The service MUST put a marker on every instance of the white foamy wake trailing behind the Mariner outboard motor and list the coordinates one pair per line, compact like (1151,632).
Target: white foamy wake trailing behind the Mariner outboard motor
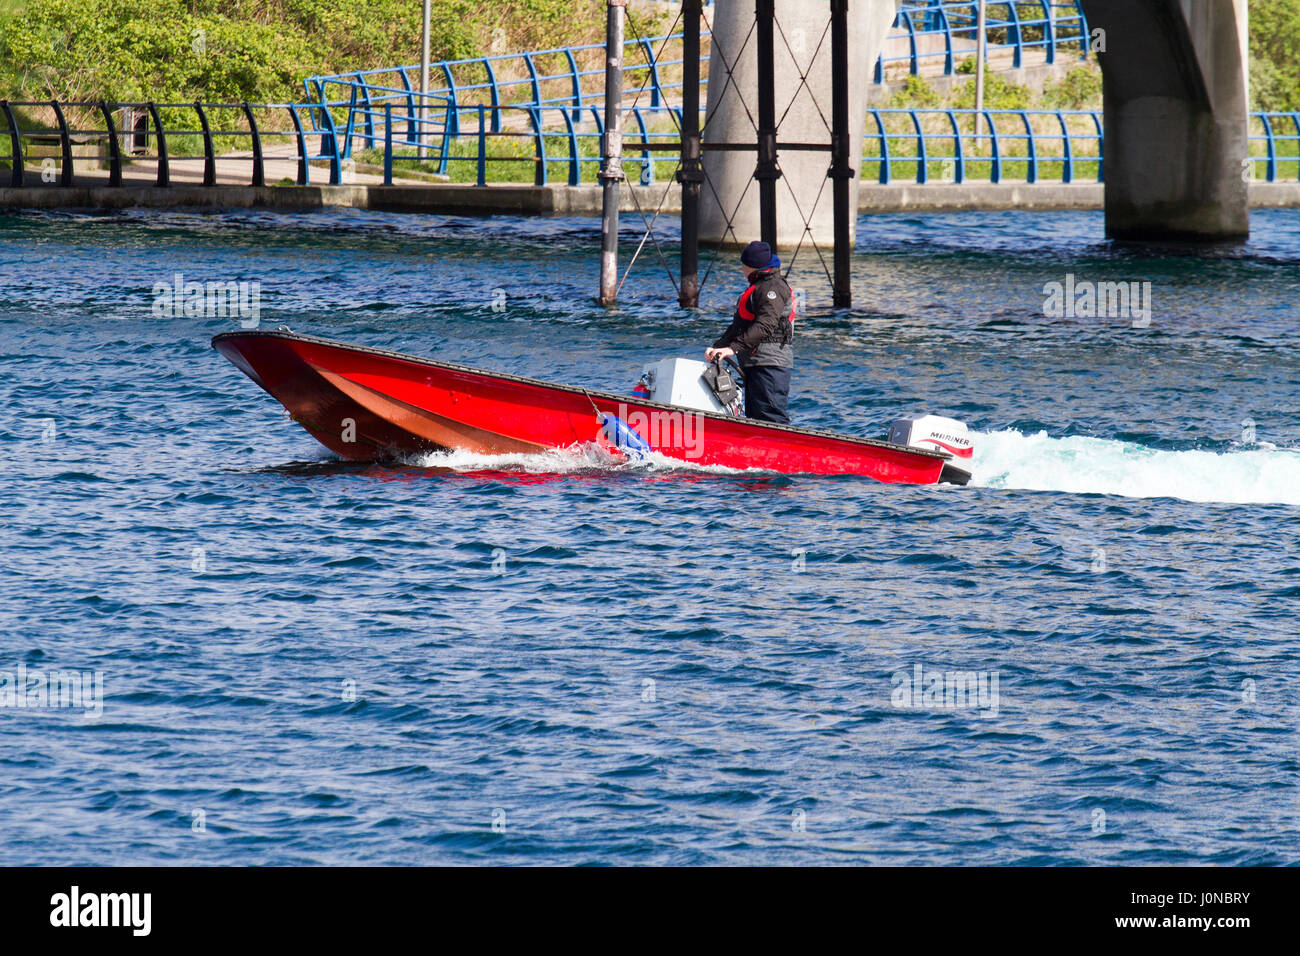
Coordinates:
(1081,465)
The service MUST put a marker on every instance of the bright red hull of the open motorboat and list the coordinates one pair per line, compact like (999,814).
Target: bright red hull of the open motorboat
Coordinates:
(372,405)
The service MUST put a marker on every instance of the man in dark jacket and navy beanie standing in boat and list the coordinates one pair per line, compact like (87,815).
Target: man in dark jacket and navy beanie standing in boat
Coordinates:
(762,336)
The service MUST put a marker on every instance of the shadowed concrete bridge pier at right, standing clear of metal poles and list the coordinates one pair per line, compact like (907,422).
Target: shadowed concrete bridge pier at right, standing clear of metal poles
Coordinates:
(1176,89)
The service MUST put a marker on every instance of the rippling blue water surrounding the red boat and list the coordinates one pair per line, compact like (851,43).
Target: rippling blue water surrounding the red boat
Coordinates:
(548,660)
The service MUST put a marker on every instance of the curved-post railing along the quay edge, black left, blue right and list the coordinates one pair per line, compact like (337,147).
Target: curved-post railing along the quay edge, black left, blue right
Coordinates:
(900,146)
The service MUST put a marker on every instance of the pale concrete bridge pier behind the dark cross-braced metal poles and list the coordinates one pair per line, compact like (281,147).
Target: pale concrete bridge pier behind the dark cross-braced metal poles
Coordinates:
(803,115)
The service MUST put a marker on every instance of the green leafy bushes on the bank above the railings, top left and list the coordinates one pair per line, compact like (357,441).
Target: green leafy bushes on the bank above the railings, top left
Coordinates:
(254,50)
